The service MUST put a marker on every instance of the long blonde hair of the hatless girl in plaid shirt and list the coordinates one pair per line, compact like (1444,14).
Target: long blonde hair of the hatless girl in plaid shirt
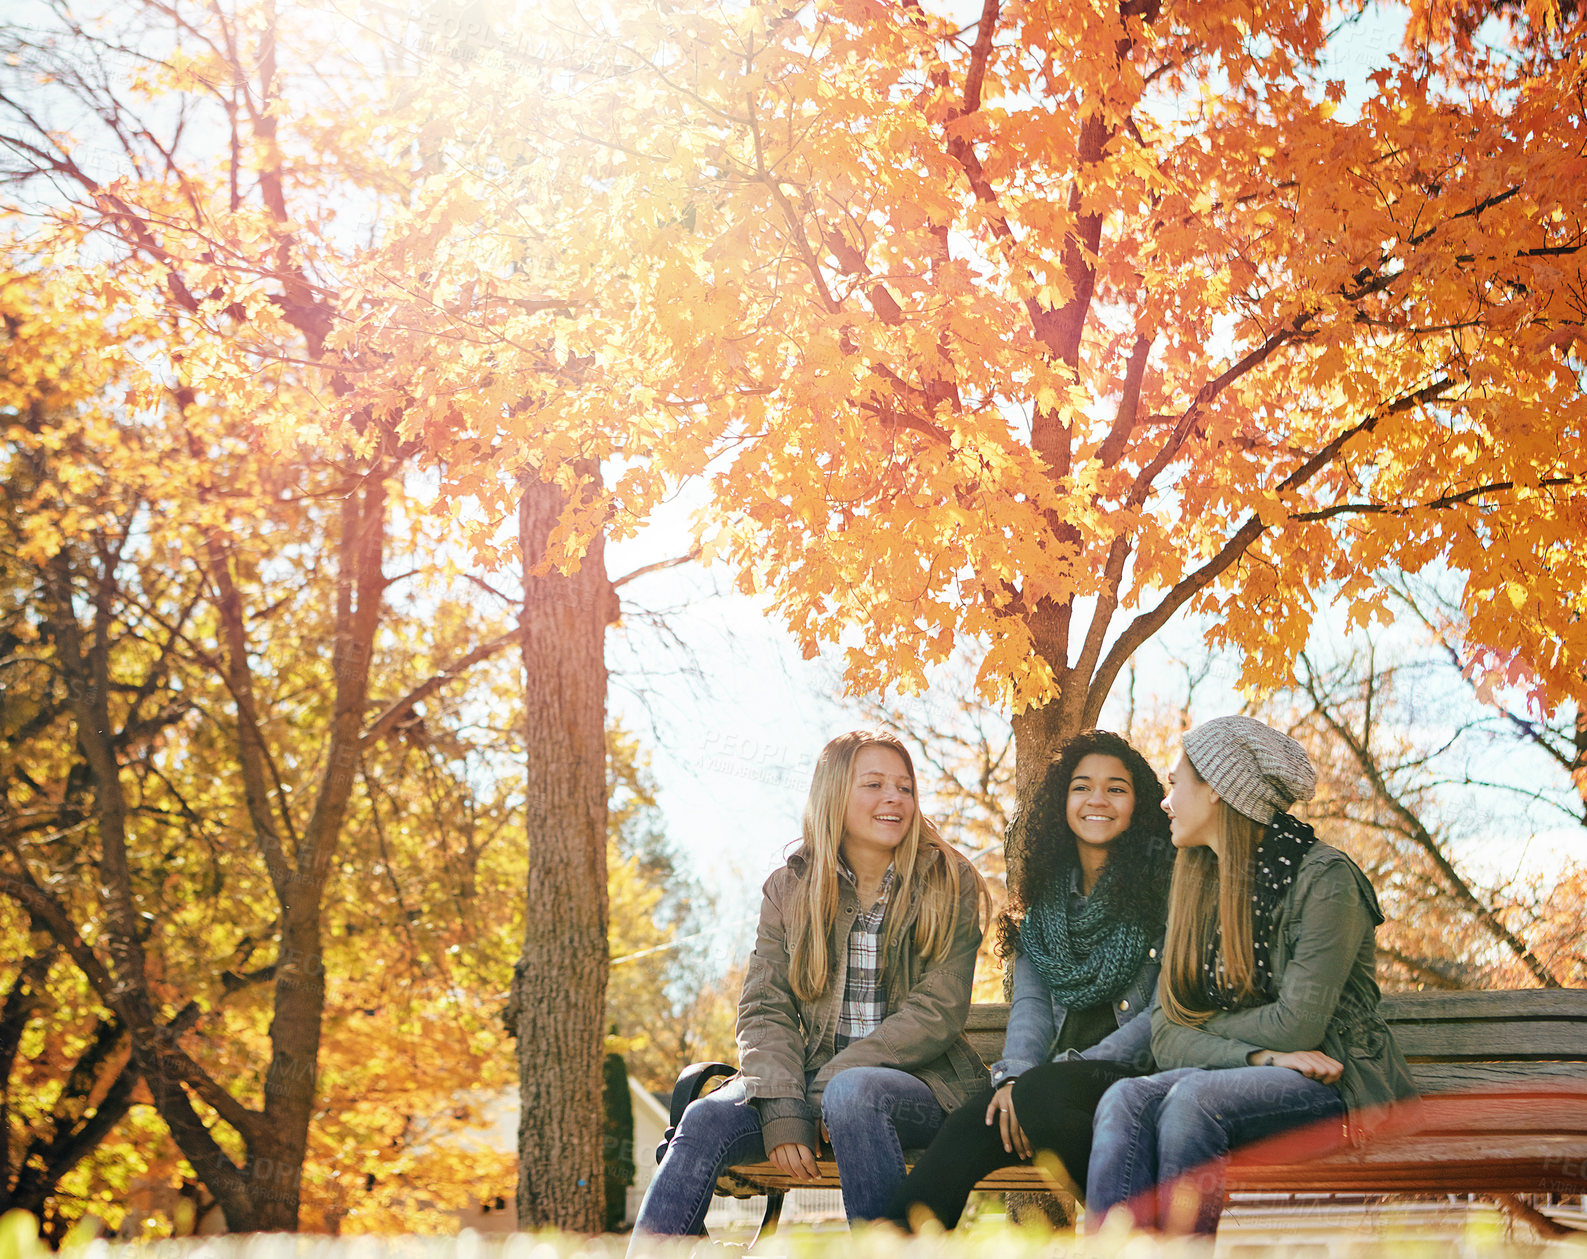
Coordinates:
(817,903)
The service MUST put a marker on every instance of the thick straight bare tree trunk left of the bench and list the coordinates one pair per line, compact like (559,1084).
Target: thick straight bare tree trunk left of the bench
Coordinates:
(559,987)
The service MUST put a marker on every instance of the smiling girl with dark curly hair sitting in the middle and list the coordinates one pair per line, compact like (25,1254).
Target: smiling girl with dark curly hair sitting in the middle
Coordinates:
(1083,931)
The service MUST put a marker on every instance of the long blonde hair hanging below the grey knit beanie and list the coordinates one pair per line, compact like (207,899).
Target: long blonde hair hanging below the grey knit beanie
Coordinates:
(1210,896)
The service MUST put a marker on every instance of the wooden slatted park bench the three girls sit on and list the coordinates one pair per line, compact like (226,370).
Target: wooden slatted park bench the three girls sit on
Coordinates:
(1504,1112)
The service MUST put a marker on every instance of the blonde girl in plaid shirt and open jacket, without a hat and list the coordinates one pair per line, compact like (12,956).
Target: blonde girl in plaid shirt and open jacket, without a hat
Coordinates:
(851,1018)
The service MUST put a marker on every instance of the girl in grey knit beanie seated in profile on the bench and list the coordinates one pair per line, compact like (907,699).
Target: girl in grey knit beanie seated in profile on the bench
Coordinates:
(1267,1015)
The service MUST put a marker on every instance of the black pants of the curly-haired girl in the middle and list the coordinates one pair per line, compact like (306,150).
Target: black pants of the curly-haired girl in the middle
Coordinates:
(1055,1104)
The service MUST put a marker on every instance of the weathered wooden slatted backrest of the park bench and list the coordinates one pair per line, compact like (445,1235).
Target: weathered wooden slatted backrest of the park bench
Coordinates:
(1454,1041)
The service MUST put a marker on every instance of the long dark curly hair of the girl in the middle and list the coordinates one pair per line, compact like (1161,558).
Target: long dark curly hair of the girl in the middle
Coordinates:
(1140,863)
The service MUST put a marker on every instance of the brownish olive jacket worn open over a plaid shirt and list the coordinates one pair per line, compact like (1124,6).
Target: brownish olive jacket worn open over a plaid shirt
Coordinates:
(783,1039)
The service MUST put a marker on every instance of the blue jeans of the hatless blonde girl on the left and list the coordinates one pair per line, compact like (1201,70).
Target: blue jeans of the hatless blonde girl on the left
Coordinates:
(870,1114)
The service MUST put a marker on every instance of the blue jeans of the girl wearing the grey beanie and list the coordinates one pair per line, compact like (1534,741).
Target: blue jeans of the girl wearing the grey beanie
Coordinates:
(1161,1142)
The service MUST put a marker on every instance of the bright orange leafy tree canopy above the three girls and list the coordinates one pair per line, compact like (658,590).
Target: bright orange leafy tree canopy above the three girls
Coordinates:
(1042,326)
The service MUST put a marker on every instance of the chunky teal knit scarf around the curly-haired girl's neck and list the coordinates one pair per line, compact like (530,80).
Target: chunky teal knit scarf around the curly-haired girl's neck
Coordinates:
(1086,958)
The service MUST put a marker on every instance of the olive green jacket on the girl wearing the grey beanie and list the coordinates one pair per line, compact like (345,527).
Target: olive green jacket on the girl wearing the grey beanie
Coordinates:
(1328,995)
